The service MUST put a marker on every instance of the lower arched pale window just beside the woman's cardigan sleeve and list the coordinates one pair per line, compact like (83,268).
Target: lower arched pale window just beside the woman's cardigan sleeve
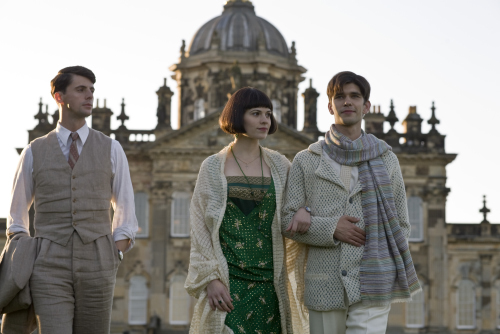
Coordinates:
(179,301)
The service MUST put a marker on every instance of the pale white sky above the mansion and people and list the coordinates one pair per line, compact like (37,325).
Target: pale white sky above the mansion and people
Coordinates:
(414,52)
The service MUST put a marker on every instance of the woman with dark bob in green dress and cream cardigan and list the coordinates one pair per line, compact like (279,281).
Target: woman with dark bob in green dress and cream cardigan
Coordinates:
(237,268)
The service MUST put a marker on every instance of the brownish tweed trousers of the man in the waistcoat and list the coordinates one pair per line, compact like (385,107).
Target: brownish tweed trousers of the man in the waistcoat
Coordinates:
(72,286)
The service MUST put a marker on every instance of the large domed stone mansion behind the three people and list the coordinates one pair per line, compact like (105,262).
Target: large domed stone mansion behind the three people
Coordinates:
(458,265)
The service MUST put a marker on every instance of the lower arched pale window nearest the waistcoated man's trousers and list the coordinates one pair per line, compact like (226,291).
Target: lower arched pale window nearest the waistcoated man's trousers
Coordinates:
(138,301)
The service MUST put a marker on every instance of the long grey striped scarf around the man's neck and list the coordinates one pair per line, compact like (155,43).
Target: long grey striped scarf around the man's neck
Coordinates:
(387,273)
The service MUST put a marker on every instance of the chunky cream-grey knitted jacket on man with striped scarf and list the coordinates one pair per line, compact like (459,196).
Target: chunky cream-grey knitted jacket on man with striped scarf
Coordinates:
(332,266)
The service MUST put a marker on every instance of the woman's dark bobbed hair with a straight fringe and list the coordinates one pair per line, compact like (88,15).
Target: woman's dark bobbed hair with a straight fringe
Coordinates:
(231,119)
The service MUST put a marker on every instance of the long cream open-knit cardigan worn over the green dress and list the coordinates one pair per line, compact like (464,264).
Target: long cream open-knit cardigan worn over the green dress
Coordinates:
(207,262)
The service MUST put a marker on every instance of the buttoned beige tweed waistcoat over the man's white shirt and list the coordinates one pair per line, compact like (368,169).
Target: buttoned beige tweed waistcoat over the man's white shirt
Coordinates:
(72,199)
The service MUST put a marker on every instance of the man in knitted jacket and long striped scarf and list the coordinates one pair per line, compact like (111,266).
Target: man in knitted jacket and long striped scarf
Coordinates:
(345,199)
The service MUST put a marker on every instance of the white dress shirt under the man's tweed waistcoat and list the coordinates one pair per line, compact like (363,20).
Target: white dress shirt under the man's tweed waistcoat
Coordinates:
(124,220)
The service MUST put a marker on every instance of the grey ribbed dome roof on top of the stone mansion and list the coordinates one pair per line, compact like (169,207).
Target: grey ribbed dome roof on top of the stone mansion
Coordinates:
(239,29)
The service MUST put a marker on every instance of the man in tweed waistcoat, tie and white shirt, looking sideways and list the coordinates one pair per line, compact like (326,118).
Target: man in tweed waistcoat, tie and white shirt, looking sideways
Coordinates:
(74,175)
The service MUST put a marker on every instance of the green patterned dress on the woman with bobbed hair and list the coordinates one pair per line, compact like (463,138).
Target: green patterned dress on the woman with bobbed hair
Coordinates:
(246,239)
